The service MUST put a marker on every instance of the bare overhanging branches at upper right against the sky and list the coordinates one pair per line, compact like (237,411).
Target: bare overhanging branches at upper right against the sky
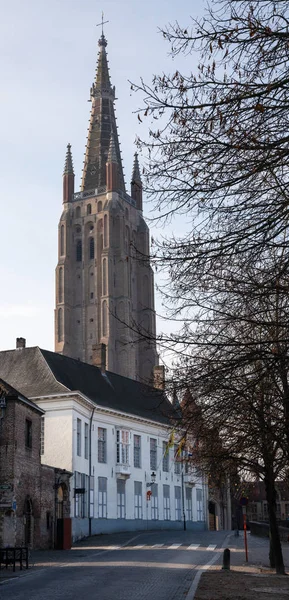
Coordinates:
(218,146)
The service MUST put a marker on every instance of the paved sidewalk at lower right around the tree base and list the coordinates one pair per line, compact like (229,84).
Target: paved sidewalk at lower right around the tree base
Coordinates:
(254,580)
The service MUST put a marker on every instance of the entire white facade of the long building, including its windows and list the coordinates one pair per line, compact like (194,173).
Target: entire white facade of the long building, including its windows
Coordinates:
(124,475)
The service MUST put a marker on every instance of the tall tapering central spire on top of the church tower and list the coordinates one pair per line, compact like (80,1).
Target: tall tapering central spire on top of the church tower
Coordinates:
(101,126)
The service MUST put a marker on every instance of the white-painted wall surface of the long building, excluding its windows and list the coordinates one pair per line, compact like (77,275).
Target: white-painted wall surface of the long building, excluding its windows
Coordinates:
(61,451)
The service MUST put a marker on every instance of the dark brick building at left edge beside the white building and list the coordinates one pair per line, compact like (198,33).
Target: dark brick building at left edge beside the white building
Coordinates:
(28,490)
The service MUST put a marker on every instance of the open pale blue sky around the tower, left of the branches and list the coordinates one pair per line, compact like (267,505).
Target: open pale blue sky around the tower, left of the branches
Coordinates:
(48,55)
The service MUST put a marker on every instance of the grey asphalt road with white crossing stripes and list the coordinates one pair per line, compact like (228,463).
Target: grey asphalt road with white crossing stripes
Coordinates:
(144,566)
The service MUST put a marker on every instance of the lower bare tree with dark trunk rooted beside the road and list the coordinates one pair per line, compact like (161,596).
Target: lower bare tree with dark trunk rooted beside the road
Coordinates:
(235,365)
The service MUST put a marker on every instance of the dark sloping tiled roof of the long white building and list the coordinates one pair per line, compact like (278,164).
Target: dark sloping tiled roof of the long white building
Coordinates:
(39,372)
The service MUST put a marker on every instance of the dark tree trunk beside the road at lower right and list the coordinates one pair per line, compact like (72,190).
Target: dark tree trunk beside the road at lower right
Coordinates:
(275,553)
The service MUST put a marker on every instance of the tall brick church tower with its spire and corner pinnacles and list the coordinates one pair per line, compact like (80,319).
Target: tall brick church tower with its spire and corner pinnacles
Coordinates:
(104,281)
